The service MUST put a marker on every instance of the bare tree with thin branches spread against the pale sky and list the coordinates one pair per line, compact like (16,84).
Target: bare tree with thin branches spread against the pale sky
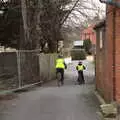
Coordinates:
(84,13)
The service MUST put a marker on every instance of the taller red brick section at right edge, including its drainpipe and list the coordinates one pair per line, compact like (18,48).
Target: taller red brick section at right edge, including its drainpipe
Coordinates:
(112,55)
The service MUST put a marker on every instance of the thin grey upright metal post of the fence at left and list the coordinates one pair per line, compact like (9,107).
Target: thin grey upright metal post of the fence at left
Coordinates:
(19,69)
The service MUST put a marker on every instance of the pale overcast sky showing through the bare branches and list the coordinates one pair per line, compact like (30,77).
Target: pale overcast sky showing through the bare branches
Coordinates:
(89,8)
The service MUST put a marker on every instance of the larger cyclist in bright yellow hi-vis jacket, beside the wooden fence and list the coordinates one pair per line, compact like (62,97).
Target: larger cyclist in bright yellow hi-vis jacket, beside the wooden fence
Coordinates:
(60,66)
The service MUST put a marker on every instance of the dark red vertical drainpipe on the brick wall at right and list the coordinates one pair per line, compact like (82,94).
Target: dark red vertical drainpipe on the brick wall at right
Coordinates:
(114,54)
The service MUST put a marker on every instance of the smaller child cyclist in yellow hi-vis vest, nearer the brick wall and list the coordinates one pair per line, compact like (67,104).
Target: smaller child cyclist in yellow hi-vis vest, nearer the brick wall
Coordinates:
(80,67)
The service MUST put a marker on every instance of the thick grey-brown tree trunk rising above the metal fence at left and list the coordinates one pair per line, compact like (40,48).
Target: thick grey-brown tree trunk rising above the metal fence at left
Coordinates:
(31,11)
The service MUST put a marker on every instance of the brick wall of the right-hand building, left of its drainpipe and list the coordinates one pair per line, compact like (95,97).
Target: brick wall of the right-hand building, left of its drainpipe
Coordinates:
(104,64)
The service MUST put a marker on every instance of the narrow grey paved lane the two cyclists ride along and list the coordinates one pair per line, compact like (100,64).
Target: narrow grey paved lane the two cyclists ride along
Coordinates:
(69,102)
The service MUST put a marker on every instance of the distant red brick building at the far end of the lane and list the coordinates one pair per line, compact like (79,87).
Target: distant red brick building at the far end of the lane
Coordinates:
(89,33)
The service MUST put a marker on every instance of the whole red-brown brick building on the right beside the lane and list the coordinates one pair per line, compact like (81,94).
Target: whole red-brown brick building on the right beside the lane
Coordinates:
(108,55)
